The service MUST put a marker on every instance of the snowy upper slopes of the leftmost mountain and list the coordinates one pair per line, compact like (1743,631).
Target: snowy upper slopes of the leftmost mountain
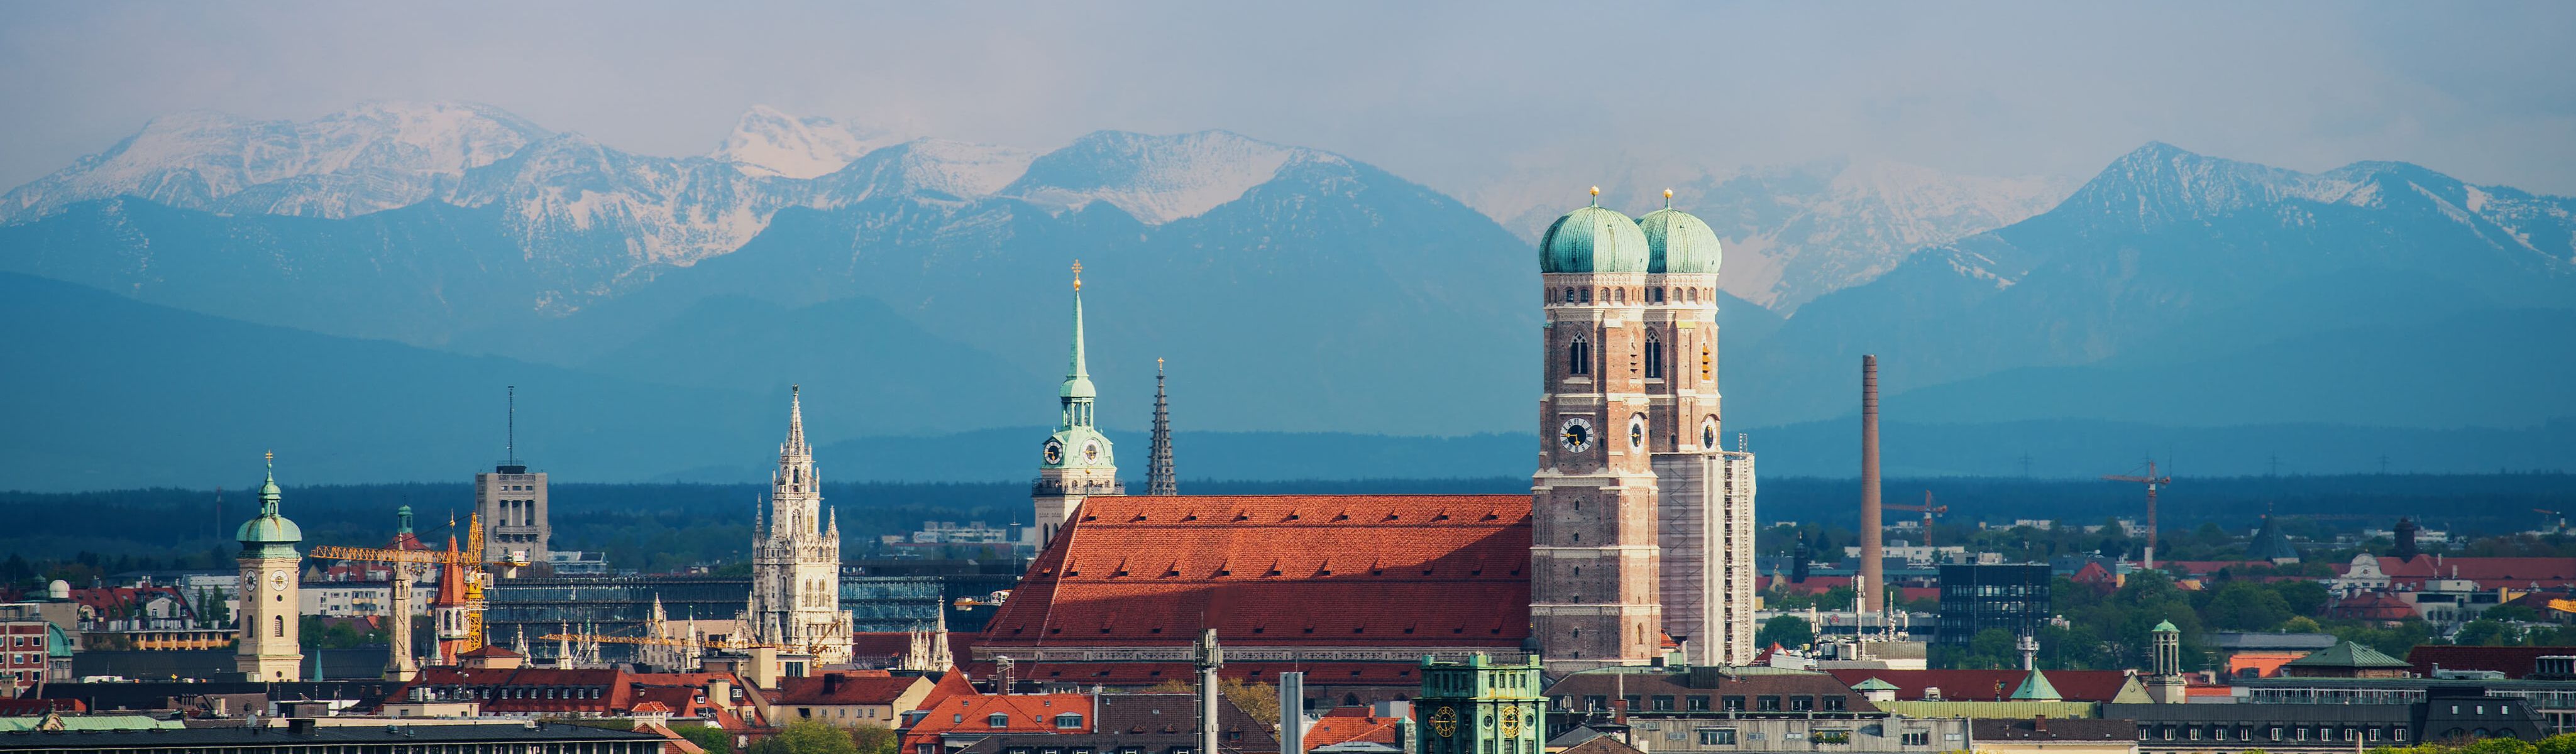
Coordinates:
(367,158)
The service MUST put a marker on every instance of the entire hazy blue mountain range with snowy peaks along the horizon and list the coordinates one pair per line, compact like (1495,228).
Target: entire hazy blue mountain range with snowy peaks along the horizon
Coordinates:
(658,308)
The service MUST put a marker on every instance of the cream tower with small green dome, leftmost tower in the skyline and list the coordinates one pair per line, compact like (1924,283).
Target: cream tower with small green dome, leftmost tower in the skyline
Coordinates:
(272,645)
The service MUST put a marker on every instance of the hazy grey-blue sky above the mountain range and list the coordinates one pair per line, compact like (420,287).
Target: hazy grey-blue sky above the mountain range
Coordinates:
(1444,94)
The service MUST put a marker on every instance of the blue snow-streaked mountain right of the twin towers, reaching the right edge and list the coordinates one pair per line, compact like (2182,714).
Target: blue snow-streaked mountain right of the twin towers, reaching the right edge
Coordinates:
(2170,256)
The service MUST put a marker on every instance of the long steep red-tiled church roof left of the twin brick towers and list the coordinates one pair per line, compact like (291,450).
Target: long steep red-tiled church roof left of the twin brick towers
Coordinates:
(1387,570)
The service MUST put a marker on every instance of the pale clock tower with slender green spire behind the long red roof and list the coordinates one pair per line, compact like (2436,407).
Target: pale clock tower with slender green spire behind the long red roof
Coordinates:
(1075,462)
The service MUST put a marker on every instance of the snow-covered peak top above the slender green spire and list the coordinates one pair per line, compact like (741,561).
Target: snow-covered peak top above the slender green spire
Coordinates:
(1155,179)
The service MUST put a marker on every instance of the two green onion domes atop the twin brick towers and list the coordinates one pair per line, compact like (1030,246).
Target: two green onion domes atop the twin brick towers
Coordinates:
(1604,241)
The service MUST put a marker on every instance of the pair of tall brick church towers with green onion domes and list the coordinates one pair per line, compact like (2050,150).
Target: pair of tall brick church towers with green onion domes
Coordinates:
(1642,521)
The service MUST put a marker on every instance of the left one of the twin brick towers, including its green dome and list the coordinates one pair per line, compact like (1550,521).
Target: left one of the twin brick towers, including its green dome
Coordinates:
(1593,513)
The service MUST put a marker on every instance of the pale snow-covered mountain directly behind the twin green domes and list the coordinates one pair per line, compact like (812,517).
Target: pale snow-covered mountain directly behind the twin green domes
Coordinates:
(1797,233)
